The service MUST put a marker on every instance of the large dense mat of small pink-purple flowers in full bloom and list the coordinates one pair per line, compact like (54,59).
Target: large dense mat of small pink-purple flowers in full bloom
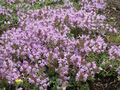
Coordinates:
(46,45)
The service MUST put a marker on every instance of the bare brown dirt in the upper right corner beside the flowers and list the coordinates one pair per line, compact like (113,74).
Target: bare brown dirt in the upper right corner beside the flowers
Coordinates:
(112,13)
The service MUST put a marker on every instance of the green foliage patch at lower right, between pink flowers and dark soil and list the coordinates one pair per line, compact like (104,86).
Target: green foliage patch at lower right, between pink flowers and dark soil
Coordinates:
(103,57)
